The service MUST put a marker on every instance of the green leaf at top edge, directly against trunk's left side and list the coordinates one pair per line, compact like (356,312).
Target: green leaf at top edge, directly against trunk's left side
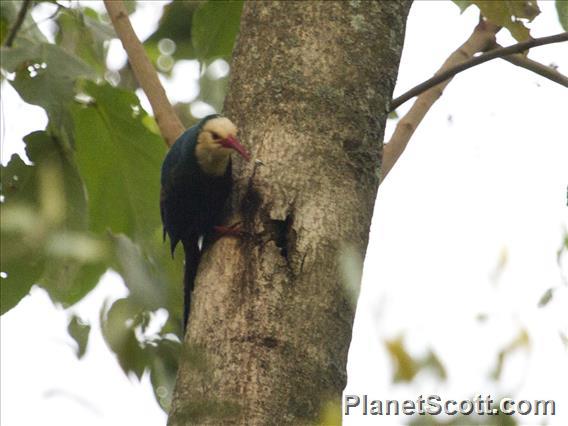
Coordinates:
(215,28)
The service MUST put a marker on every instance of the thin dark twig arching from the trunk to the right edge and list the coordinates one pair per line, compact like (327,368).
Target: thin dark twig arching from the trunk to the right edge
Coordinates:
(496,53)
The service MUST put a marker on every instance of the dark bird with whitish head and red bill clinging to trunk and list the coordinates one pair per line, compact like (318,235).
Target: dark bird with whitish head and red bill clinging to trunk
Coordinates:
(196,182)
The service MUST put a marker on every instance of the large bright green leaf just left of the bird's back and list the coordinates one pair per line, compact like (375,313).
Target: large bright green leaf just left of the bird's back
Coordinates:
(119,160)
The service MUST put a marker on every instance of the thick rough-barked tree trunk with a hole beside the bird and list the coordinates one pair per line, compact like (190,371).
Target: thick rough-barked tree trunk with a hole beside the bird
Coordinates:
(271,320)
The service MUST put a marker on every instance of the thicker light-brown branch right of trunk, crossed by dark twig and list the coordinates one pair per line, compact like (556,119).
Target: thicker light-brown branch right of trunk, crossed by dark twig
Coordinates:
(482,37)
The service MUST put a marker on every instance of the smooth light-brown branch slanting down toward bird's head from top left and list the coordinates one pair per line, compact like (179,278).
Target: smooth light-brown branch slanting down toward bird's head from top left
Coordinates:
(168,122)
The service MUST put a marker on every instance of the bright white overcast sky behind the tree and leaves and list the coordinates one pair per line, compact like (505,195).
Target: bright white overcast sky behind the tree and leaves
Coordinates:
(484,179)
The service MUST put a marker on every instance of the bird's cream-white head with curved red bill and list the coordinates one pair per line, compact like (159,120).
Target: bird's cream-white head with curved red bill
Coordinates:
(215,143)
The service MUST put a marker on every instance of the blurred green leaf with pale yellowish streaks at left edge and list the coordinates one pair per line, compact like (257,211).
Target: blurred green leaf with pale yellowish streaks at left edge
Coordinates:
(44,216)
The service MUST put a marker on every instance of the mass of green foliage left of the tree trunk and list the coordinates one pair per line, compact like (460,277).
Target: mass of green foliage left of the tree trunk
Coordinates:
(86,198)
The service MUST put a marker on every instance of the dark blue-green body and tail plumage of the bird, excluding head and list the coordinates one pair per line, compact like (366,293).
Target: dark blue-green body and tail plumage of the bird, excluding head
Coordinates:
(191,202)
